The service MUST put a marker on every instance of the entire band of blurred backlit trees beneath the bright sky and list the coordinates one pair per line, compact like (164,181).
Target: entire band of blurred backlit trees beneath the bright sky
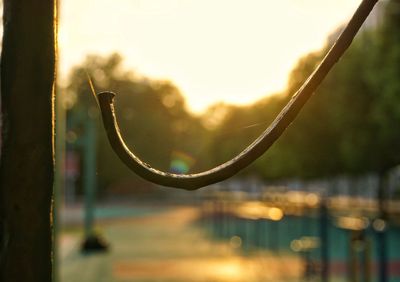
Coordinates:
(350,126)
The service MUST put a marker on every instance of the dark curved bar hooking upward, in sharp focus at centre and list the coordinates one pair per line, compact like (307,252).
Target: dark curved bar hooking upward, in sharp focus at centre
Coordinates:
(259,146)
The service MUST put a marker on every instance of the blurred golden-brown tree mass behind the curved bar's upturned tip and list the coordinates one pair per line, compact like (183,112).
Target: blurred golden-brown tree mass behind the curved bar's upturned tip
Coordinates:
(152,116)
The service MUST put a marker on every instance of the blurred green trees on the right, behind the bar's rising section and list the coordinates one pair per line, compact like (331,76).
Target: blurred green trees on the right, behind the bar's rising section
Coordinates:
(351,124)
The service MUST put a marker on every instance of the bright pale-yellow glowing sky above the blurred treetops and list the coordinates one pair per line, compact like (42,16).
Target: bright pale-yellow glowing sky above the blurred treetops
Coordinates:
(232,51)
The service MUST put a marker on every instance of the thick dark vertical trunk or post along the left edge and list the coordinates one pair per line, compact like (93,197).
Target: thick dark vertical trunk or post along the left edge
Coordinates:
(26,164)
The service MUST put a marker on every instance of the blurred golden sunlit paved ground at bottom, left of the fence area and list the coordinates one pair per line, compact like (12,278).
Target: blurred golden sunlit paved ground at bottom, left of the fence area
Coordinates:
(166,247)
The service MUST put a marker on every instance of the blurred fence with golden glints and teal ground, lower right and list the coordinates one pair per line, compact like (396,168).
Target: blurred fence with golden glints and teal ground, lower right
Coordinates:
(335,227)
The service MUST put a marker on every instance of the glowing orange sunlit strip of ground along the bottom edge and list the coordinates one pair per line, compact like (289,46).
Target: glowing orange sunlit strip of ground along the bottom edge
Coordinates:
(214,269)
